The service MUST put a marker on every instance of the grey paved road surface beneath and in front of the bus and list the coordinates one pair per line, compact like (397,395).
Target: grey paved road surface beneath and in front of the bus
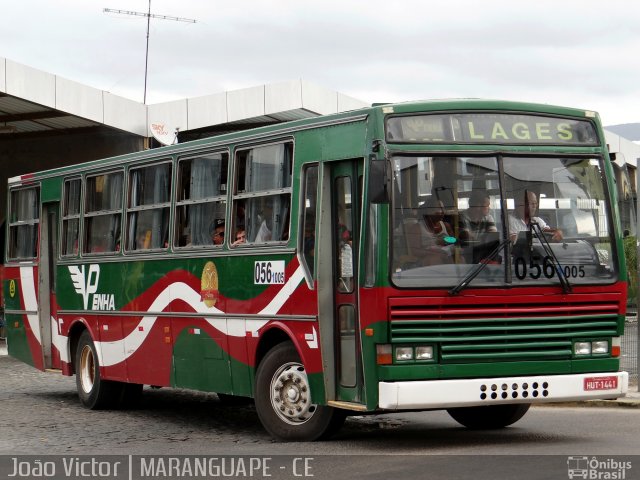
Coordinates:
(40,415)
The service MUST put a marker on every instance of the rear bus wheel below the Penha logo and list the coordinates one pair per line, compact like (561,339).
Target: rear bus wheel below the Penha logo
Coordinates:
(94,392)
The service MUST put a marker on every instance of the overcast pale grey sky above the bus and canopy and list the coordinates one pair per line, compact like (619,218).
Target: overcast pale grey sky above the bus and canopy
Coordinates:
(581,54)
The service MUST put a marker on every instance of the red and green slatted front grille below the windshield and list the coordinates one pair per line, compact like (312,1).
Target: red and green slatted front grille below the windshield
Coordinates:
(520,332)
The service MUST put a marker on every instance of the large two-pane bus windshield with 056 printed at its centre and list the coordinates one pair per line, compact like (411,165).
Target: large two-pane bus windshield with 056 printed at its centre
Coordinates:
(532,221)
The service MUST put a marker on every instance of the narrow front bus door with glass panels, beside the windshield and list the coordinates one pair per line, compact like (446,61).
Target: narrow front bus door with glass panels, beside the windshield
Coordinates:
(345,225)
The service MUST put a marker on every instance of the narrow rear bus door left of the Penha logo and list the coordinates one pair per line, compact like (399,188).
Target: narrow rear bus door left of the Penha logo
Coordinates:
(47,281)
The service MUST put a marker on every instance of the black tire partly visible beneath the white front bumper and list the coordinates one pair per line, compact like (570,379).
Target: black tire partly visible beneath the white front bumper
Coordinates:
(489,417)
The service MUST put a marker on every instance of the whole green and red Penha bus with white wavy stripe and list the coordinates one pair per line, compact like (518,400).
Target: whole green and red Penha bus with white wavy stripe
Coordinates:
(333,266)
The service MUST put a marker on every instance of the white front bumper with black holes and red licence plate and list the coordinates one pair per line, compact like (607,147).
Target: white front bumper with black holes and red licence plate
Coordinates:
(420,395)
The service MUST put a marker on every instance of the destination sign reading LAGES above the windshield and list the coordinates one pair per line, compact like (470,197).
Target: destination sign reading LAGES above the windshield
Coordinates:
(501,128)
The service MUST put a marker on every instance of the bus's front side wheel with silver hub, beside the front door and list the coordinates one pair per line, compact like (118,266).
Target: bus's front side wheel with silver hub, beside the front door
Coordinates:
(283,400)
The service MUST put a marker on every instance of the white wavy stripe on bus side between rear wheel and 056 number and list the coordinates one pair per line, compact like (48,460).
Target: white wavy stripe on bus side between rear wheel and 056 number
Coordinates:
(111,353)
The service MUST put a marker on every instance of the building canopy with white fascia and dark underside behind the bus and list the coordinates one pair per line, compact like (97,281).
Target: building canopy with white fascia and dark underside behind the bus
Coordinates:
(48,121)
